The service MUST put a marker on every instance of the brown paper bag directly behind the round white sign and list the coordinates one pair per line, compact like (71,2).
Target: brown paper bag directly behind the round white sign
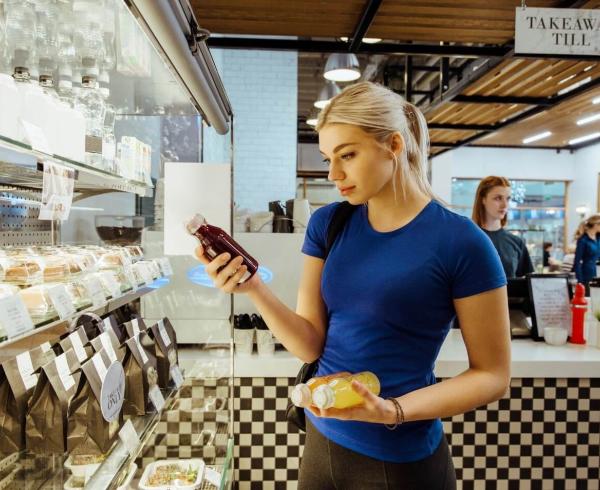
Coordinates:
(88,433)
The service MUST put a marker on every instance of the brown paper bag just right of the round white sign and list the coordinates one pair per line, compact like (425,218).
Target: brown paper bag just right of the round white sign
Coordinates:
(140,374)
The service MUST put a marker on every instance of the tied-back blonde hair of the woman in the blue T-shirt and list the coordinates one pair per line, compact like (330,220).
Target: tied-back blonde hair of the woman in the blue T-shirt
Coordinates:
(381,112)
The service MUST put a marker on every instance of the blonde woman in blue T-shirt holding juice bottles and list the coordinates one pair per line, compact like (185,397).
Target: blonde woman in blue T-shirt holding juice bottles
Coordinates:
(399,272)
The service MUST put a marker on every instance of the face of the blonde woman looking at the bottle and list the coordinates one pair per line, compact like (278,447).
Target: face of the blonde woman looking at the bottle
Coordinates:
(358,165)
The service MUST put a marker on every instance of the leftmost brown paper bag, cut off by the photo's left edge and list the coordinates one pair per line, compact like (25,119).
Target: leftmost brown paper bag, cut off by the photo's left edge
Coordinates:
(18,379)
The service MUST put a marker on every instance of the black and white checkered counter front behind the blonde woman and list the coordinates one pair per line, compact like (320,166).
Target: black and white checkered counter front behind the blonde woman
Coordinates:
(545,434)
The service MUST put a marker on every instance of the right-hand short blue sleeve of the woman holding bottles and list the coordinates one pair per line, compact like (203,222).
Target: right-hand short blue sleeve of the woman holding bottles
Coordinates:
(475,265)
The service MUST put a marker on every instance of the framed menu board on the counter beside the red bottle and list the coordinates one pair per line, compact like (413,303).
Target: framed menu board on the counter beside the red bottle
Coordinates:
(551,303)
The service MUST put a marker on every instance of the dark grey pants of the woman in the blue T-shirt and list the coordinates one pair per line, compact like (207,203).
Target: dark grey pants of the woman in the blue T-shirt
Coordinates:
(327,466)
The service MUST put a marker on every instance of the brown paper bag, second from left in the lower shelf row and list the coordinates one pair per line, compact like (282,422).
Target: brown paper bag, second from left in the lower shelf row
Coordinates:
(46,423)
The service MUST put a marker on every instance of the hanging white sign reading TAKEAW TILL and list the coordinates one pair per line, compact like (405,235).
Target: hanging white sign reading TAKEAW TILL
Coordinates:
(557,31)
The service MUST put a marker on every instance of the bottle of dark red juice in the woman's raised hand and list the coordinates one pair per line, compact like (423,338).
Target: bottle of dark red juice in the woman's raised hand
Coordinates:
(216,241)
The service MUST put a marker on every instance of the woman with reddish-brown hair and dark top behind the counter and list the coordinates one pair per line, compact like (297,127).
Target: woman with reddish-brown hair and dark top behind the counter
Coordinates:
(490,210)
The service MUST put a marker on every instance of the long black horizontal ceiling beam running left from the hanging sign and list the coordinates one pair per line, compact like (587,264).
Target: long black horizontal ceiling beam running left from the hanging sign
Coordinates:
(310,46)
